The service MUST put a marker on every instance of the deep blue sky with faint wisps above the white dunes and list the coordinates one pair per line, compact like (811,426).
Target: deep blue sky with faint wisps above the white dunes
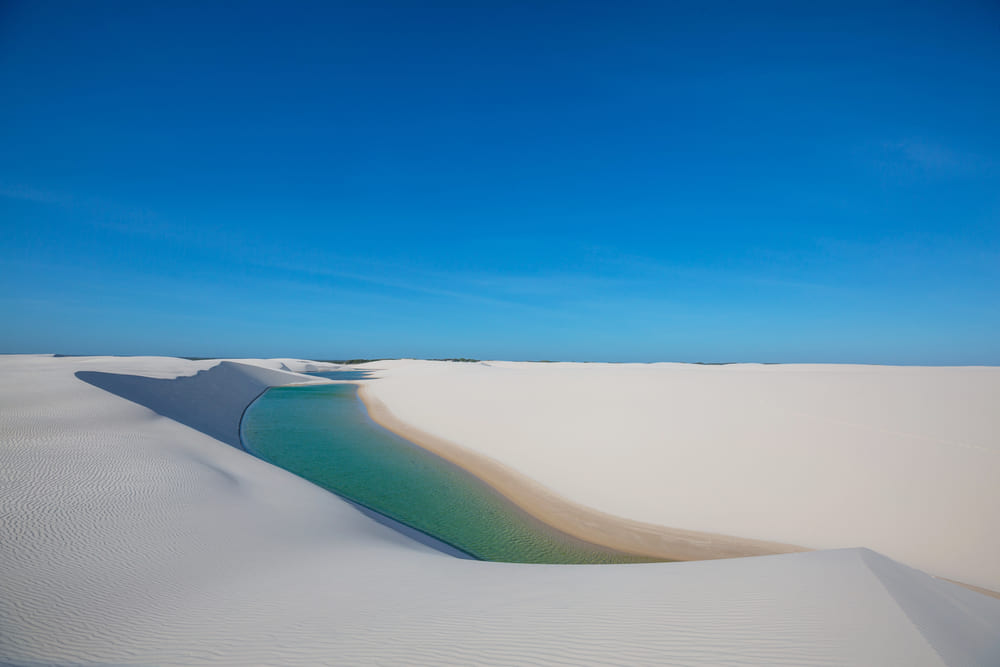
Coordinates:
(617,181)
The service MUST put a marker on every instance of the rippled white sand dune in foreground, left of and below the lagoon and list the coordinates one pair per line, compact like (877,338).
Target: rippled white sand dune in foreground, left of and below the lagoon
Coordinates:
(129,537)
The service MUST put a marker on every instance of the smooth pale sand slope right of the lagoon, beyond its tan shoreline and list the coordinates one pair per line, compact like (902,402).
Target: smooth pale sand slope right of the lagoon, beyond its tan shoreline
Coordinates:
(903,460)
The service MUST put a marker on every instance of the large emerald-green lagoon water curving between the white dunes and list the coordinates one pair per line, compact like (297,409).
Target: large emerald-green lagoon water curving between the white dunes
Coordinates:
(324,434)
